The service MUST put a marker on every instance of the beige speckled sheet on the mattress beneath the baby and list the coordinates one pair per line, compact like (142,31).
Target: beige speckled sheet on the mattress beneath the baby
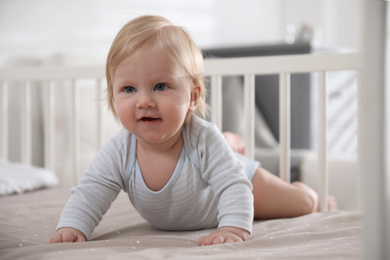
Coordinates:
(28,220)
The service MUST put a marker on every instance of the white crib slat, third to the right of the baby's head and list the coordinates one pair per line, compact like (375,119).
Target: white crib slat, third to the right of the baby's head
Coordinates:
(284,125)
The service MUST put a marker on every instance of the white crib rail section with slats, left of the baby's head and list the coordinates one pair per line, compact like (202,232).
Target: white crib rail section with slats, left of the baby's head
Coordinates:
(48,77)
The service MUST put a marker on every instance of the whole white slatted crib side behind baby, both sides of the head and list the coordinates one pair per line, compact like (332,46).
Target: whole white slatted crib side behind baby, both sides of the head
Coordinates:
(284,66)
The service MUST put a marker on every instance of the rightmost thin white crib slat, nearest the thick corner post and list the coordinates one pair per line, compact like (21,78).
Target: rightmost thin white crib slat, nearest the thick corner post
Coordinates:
(322,143)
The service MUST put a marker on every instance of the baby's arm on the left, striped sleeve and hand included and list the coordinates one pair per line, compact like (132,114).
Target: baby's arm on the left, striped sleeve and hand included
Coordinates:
(92,197)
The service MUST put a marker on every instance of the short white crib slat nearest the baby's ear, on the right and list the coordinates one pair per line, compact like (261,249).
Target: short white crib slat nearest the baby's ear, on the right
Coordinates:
(216,100)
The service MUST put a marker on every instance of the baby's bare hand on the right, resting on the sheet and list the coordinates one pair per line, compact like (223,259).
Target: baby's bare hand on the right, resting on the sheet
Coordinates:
(225,235)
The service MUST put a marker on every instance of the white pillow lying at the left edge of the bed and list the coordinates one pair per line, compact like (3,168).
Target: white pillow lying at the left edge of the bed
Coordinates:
(19,178)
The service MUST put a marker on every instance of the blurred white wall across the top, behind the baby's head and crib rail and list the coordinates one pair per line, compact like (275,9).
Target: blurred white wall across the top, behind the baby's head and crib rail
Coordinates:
(86,28)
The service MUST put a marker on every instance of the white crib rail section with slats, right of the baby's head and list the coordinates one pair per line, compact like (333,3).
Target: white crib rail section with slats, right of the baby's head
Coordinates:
(284,66)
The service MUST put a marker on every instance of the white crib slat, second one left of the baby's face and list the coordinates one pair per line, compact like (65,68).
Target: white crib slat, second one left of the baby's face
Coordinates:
(75,131)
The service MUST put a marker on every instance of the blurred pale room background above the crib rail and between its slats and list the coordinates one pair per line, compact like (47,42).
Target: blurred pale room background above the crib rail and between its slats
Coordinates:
(80,32)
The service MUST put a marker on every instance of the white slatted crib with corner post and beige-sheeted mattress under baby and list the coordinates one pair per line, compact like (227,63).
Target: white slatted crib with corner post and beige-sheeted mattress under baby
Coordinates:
(123,233)
